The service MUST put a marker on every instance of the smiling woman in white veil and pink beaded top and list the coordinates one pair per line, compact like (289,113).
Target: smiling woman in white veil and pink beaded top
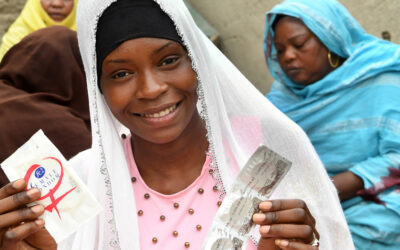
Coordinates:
(161,96)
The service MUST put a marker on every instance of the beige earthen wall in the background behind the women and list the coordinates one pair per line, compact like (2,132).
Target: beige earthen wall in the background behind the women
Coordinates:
(241,26)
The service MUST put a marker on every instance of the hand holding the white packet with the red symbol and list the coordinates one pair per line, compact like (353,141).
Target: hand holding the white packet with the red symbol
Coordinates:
(20,227)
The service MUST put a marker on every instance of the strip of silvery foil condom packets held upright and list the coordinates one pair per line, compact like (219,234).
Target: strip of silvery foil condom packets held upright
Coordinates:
(232,225)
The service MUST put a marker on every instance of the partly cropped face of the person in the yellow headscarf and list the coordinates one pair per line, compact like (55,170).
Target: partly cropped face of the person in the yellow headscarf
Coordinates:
(58,10)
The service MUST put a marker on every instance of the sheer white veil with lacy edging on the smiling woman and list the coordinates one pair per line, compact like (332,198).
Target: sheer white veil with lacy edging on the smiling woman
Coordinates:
(224,95)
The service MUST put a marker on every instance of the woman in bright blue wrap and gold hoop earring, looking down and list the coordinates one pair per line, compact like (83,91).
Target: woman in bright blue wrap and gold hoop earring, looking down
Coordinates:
(341,85)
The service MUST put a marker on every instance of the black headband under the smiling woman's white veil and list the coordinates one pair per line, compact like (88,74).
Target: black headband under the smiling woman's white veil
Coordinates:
(128,19)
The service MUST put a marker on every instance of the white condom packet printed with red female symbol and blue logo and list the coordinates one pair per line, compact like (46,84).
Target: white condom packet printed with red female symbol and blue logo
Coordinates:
(68,202)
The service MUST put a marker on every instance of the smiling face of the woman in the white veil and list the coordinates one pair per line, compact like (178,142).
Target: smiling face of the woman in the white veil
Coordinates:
(150,87)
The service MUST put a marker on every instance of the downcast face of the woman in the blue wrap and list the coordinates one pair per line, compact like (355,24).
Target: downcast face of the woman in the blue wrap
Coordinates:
(302,56)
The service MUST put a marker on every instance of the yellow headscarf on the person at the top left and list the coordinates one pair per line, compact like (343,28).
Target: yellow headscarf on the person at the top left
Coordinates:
(32,18)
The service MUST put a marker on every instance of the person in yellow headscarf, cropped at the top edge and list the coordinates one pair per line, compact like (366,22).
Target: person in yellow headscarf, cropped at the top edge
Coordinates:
(38,14)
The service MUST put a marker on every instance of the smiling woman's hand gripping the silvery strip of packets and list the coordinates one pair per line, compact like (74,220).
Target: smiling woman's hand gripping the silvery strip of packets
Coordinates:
(286,224)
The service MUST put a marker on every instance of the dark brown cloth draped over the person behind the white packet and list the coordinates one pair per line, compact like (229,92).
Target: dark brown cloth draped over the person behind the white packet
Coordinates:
(42,86)
